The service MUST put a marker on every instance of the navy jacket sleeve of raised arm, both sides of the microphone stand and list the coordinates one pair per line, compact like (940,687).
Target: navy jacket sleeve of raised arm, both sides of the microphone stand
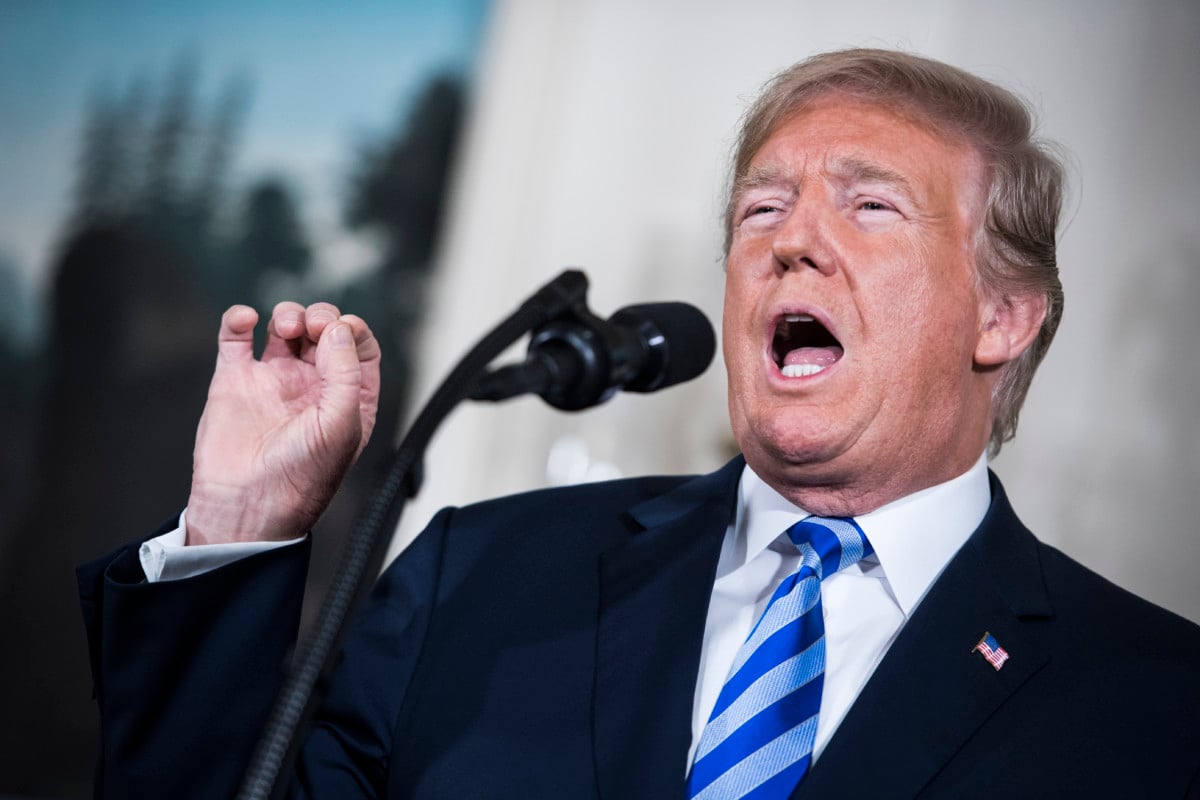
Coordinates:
(185,672)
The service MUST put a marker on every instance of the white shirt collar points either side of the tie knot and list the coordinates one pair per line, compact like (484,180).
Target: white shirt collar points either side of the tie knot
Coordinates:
(914,538)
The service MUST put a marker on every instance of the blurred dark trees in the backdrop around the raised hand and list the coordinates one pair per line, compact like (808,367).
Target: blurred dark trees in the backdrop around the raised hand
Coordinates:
(155,246)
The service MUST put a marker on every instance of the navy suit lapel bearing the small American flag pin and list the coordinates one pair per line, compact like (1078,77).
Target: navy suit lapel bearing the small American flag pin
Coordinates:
(932,691)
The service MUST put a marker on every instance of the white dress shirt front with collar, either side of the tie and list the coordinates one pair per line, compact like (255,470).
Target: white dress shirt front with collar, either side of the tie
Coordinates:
(865,605)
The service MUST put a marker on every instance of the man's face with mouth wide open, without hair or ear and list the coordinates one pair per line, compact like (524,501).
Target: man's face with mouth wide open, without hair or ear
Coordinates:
(851,311)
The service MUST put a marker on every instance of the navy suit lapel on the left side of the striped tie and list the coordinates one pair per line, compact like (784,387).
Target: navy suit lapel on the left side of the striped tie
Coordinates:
(655,593)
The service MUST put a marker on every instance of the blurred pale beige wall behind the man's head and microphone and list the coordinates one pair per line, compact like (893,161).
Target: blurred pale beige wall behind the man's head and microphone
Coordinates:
(599,140)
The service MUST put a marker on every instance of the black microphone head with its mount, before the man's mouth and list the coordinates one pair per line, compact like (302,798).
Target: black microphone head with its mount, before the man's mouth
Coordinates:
(579,360)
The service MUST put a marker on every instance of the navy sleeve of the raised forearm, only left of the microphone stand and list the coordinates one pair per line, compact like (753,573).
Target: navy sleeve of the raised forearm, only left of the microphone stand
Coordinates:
(184,672)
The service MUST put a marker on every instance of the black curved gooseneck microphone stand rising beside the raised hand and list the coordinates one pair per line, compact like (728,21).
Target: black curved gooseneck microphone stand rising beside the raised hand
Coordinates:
(278,745)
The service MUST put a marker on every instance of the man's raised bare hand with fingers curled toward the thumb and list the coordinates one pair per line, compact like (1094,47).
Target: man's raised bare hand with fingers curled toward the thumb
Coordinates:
(279,435)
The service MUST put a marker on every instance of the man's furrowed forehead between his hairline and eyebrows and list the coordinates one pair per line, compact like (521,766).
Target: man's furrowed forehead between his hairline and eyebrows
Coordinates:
(853,140)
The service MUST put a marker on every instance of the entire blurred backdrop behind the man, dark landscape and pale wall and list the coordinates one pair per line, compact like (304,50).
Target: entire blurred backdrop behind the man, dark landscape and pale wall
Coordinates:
(157,165)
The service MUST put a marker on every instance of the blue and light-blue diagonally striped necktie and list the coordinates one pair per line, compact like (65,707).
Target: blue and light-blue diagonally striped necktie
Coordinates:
(759,741)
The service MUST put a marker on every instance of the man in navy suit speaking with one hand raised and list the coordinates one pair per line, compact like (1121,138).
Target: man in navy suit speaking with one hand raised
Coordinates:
(853,611)
